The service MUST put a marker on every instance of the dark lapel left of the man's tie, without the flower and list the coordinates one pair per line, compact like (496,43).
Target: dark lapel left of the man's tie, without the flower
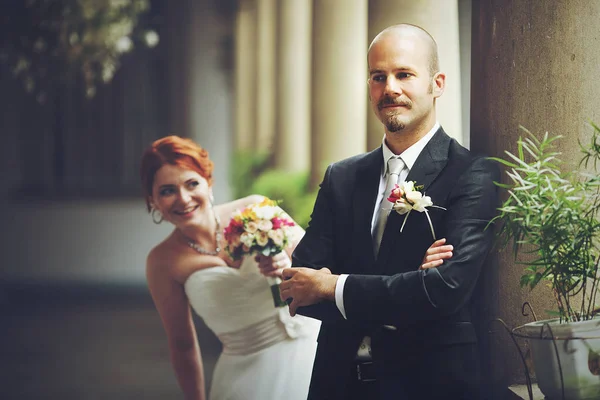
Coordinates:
(367,185)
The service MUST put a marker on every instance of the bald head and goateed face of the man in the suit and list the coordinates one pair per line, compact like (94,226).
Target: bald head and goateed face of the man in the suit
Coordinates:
(402,89)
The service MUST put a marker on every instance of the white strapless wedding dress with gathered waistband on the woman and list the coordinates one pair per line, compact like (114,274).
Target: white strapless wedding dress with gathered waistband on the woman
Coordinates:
(267,355)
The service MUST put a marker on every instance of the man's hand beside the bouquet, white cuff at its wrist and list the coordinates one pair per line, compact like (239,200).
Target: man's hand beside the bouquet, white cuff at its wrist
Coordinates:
(307,286)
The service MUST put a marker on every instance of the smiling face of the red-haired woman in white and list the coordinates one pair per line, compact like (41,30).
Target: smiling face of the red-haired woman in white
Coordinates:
(181,195)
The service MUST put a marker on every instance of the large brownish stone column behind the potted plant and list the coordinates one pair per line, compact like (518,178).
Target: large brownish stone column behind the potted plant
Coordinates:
(534,64)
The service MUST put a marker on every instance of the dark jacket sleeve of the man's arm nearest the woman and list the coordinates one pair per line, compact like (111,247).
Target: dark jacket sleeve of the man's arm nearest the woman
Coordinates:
(315,250)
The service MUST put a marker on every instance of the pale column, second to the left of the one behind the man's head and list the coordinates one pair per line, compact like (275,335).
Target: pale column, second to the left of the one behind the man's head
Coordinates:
(292,137)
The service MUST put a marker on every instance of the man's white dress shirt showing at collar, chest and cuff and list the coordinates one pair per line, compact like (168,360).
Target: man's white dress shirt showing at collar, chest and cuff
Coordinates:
(409,156)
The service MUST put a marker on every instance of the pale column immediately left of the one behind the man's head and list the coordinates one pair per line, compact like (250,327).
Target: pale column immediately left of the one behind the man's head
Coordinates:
(339,83)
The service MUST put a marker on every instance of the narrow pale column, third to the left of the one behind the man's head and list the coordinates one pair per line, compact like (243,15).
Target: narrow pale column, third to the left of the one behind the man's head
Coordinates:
(266,74)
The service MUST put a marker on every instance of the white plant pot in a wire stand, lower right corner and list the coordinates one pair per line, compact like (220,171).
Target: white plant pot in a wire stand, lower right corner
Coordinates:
(577,345)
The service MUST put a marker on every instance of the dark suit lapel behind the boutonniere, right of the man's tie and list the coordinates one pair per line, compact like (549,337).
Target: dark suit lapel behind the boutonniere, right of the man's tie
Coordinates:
(427,167)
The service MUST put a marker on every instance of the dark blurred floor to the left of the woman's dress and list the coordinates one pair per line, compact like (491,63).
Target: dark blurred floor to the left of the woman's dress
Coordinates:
(87,344)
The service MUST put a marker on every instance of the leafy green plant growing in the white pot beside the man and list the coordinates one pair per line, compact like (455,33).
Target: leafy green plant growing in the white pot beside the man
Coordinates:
(552,215)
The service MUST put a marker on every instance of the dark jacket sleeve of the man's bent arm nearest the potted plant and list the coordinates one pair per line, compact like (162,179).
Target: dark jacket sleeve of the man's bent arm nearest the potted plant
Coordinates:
(433,293)
